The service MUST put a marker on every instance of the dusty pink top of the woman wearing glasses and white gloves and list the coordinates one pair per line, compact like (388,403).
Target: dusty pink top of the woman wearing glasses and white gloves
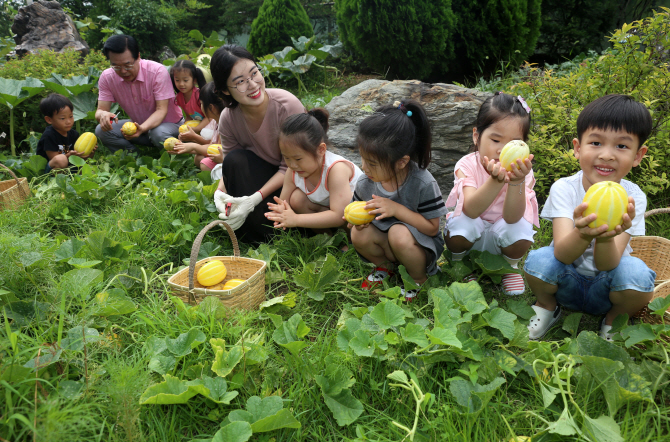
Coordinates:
(235,133)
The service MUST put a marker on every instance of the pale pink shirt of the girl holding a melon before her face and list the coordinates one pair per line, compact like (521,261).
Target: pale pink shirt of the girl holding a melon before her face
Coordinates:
(475,176)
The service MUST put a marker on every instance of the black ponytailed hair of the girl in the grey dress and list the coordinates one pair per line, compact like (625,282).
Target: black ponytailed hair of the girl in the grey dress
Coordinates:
(392,132)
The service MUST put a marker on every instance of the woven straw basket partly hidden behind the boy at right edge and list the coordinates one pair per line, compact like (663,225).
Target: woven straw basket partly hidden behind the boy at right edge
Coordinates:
(655,252)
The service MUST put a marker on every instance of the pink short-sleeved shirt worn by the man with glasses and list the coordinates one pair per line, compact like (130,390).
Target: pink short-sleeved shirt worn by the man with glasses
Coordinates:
(138,97)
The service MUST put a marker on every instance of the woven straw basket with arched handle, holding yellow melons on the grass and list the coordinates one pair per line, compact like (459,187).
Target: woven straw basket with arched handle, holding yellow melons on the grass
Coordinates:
(246,296)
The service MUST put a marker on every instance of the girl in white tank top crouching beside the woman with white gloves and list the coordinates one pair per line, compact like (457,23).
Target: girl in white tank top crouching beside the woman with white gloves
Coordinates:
(318,184)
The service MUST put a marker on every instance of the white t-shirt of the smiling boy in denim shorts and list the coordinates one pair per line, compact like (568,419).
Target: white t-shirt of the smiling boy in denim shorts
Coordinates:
(568,193)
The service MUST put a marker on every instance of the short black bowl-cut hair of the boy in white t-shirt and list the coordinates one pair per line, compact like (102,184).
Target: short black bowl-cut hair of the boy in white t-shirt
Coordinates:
(616,112)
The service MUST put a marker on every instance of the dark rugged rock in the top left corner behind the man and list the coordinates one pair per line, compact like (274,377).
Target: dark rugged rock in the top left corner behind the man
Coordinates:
(43,25)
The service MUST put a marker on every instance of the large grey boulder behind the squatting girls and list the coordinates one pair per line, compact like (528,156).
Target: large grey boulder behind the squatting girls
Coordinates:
(451,110)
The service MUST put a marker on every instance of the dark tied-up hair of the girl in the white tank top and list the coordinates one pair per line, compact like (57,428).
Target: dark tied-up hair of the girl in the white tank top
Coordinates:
(307,131)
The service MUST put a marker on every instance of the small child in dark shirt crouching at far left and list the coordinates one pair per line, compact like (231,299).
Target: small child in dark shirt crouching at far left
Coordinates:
(57,141)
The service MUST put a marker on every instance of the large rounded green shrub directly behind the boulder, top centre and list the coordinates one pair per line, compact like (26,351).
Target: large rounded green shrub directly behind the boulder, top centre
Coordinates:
(408,39)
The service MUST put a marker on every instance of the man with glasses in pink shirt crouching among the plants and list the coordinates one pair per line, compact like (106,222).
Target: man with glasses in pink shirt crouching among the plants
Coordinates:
(143,89)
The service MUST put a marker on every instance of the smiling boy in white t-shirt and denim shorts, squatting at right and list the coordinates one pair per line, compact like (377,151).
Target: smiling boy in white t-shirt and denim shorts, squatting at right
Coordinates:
(590,269)
